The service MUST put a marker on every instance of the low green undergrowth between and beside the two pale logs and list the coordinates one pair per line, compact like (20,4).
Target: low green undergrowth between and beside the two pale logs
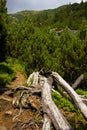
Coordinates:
(70,111)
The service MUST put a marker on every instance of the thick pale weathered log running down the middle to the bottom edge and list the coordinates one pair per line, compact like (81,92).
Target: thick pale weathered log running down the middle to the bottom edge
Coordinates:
(49,107)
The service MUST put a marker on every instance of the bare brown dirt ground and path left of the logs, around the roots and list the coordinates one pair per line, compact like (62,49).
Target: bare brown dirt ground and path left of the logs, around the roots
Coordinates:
(12,118)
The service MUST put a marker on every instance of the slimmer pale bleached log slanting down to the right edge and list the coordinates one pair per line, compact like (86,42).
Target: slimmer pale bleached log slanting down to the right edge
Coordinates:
(76,98)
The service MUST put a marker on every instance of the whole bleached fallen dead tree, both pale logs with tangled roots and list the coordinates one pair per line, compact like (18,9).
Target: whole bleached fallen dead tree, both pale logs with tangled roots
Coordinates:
(38,84)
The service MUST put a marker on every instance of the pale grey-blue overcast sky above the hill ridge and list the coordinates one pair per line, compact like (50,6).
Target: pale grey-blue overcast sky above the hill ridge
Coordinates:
(19,5)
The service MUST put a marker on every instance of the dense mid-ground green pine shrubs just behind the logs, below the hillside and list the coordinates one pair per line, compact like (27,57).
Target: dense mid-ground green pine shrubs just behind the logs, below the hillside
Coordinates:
(38,47)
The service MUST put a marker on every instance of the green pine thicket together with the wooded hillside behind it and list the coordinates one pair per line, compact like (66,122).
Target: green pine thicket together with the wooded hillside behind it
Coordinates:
(35,45)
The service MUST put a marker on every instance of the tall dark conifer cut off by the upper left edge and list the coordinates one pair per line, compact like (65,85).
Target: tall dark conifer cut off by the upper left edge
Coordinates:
(3,32)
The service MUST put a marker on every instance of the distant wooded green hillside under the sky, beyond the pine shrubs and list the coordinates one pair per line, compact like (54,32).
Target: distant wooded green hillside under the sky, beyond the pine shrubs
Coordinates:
(67,15)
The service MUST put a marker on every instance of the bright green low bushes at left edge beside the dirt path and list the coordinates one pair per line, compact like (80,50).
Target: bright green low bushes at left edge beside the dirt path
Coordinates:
(8,71)
